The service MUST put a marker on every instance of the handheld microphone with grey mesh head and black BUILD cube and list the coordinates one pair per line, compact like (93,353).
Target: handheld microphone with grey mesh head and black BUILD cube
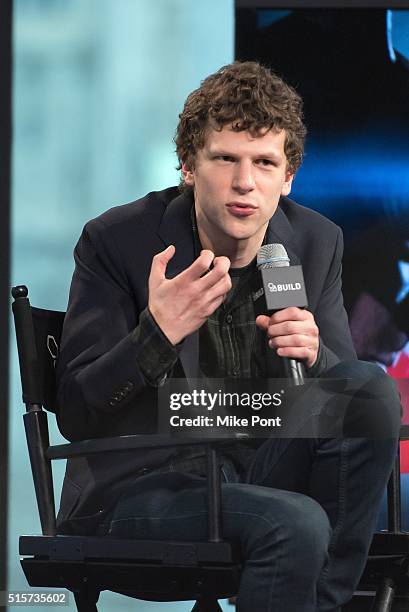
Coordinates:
(283,286)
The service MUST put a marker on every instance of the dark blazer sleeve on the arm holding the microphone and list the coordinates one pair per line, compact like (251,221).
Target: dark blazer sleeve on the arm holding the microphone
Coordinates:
(331,318)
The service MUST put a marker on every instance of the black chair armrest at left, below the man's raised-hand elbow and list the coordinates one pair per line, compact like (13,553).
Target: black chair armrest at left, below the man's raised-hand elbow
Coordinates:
(121,443)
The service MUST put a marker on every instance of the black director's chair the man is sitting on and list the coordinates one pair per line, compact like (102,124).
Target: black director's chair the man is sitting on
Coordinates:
(86,565)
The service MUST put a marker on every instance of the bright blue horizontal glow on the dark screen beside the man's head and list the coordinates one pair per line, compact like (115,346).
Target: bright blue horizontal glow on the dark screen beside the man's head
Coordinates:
(355,171)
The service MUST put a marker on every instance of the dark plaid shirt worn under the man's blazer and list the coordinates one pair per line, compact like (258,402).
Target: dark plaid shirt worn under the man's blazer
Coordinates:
(230,346)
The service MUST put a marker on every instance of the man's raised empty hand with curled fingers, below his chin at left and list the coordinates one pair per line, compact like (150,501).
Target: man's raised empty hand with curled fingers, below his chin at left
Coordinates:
(182,304)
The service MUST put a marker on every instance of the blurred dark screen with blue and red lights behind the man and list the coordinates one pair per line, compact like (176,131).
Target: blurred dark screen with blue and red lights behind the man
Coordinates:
(351,67)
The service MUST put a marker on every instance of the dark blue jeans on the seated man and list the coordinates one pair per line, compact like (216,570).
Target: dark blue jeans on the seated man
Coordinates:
(304,510)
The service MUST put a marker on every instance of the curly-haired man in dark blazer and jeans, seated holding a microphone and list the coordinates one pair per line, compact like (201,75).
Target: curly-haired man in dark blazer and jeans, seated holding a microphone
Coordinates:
(175,271)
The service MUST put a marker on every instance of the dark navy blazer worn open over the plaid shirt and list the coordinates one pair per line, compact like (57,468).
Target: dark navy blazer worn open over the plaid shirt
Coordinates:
(101,390)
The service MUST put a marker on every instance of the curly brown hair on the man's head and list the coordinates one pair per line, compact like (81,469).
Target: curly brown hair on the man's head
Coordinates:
(247,96)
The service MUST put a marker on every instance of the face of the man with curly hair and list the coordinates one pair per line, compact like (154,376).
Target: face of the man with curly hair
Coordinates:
(237,183)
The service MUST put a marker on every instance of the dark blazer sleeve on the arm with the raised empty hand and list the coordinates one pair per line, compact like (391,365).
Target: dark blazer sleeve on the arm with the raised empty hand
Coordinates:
(104,339)
